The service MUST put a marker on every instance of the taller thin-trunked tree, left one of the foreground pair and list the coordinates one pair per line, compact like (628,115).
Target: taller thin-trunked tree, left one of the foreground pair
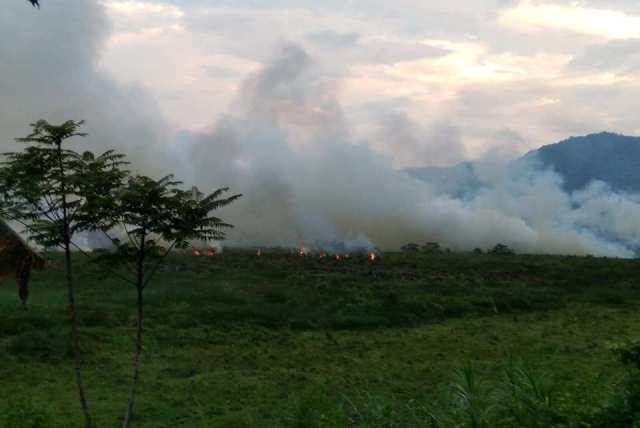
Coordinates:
(46,188)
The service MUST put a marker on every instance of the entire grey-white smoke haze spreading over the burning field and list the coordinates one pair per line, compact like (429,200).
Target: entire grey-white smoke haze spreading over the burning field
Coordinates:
(286,142)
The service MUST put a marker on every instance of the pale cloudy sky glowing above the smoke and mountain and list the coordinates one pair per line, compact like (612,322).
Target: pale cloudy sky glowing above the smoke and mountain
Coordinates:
(459,80)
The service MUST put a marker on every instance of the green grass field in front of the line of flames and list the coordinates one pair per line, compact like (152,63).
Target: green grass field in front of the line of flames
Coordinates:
(281,341)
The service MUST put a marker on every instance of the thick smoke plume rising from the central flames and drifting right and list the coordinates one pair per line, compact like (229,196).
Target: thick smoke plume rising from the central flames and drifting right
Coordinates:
(287,146)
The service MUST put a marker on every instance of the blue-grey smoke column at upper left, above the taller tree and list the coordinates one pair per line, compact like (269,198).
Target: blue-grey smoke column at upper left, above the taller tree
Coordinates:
(48,64)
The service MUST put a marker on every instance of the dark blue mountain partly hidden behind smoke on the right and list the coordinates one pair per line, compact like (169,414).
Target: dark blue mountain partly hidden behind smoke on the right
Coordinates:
(608,157)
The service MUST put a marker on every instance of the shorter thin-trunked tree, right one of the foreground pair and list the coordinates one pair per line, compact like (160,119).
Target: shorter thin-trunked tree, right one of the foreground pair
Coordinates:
(145,211)
